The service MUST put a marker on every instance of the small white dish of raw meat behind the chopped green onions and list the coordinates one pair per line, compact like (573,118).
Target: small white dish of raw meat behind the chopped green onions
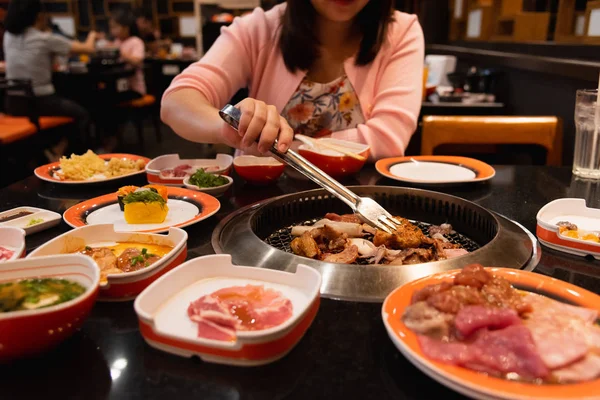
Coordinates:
(170,170)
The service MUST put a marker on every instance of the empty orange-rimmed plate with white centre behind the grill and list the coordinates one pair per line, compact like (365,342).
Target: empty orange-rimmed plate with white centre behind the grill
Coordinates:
(435,170)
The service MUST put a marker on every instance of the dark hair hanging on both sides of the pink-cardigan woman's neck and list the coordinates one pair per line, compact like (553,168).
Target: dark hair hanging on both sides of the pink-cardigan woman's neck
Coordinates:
(299,44)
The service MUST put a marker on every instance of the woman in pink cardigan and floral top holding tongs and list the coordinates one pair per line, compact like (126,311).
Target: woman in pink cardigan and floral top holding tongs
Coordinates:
(349,69)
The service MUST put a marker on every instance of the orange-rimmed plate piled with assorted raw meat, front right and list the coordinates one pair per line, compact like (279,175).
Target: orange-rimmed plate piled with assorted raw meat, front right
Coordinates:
(498,333)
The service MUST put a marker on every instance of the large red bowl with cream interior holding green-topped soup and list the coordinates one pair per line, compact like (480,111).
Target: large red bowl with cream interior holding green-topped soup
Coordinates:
(29,332)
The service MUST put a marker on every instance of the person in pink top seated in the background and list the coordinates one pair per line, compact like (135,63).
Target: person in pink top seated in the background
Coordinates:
(124,30)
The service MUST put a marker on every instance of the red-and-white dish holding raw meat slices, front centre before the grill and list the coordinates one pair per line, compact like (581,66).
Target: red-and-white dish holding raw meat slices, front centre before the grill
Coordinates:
(165,325)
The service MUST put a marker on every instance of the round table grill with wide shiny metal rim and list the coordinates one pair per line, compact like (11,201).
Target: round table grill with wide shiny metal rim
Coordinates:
(260,235)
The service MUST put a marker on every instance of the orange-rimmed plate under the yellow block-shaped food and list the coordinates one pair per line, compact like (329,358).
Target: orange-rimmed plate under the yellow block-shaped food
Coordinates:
(186,207)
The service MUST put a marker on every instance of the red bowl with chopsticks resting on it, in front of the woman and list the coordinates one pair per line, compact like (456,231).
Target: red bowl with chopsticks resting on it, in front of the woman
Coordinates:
(334,163)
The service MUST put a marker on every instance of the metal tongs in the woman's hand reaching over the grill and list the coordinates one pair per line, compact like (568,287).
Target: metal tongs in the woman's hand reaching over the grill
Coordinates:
(366,208)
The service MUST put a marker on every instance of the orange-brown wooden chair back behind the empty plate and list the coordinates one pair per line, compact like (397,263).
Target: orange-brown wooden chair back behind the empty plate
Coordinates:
(490,130)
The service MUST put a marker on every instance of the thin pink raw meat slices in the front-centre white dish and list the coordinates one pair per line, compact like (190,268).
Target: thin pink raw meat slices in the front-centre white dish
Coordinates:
(239,308)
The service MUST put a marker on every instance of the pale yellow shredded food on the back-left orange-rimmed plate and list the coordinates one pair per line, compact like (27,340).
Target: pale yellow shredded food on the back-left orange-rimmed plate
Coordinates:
(90,166)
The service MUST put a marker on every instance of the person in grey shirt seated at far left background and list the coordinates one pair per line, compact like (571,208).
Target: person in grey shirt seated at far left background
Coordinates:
(29,53)
